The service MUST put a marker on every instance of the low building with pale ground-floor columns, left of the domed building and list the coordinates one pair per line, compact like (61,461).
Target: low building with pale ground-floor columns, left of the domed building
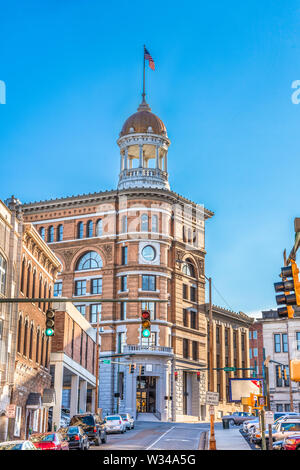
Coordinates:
(72,362)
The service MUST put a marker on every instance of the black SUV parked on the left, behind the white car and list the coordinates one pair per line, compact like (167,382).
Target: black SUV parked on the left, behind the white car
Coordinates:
(92,425)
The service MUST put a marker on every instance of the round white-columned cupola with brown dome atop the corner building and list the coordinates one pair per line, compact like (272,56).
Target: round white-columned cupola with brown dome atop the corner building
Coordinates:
(144,147)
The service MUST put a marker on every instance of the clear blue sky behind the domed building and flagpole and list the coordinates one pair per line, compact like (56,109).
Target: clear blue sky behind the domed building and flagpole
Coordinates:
(222,86)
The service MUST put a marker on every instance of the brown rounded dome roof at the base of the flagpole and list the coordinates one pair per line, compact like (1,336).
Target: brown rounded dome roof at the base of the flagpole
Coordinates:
(141,121)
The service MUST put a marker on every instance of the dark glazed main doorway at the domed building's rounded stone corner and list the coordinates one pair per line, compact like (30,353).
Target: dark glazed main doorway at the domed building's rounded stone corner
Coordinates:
(146,394)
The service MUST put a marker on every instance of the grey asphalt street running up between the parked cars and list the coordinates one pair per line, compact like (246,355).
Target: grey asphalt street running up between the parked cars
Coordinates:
(156,436)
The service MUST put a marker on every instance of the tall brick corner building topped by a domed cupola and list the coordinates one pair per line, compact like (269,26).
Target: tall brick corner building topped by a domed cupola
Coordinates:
(141,241)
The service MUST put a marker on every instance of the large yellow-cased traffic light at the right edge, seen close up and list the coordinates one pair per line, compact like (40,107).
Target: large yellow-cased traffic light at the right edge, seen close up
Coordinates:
(290,282)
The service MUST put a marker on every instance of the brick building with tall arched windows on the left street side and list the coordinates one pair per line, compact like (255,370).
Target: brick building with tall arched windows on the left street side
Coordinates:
(39,268)
